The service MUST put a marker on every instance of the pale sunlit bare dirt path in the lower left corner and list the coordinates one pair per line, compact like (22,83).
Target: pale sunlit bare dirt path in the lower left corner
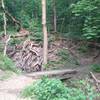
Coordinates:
(10,89)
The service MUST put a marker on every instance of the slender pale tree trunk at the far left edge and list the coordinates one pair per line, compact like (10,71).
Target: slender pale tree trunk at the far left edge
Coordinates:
(5,26)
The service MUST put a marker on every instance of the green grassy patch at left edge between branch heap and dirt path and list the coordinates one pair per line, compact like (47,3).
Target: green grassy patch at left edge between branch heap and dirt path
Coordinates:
(7,64)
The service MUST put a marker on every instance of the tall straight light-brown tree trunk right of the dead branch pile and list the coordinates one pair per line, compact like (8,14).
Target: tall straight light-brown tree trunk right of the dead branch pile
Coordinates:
(45,44)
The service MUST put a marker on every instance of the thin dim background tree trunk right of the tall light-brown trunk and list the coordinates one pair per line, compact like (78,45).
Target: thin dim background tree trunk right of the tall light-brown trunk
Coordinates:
(55,16)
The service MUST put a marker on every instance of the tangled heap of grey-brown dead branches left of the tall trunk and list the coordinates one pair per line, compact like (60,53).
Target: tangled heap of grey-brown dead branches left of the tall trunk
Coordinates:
(28,58)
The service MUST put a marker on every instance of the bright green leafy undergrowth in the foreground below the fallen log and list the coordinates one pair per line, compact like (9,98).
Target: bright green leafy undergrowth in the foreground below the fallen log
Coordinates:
(53,89)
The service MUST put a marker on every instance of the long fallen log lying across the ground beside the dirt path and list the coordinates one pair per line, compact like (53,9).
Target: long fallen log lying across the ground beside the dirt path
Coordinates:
(52,73)
